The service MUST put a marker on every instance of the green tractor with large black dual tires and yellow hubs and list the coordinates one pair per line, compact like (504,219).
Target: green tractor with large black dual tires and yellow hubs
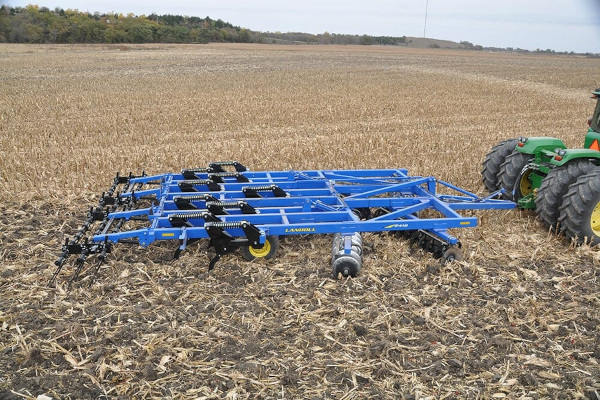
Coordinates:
(562,185)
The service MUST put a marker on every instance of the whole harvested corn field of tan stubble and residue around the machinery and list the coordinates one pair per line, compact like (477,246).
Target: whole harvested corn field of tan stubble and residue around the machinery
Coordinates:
(516,318)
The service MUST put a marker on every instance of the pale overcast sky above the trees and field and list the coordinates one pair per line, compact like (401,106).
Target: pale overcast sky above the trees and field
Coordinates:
(561,25)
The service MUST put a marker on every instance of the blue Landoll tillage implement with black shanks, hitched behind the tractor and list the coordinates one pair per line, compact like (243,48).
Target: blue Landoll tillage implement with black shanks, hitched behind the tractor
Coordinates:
(235,208)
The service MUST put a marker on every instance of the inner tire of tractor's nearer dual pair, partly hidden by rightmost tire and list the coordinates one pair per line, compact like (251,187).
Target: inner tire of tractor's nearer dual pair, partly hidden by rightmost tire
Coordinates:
(555,186)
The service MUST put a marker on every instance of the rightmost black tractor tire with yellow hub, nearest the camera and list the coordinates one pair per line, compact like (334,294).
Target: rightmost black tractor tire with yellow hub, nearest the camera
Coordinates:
(580,211)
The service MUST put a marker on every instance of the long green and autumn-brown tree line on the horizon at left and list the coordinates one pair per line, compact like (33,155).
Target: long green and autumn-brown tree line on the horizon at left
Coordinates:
(34,24)
